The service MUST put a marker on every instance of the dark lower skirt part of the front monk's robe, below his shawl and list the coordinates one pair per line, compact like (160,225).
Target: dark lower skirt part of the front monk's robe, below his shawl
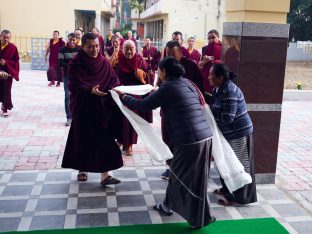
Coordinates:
(91,147)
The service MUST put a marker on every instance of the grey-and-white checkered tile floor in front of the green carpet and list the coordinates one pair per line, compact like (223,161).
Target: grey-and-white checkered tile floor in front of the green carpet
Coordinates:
(51,199)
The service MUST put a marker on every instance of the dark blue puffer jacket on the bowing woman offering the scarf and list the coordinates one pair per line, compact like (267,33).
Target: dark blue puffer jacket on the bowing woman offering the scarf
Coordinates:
(184,121)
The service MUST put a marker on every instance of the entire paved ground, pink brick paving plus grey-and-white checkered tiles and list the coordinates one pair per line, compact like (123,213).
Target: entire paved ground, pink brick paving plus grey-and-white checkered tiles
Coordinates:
(36,194)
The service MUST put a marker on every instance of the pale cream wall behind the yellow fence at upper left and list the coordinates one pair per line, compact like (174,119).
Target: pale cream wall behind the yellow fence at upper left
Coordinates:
(42,17)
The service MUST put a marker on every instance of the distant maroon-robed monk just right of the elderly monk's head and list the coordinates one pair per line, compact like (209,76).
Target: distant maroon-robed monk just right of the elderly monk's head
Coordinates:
(151,55)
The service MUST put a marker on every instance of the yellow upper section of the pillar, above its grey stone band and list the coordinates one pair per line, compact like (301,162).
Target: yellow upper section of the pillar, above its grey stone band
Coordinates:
(264,11)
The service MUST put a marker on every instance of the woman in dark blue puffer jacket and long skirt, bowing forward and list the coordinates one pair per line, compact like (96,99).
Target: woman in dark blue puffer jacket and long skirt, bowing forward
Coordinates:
(190,136)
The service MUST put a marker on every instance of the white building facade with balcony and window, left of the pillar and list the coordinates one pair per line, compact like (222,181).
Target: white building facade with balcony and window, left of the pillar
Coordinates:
(191,17)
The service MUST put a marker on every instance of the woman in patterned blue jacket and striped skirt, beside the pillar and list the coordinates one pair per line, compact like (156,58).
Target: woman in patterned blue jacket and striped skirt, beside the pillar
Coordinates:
(230,112)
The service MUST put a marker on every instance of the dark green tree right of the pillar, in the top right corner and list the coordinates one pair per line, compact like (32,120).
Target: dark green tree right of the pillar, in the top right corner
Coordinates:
(300,20)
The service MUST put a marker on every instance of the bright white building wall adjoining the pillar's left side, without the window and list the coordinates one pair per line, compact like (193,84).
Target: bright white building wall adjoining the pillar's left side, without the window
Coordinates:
(192,18)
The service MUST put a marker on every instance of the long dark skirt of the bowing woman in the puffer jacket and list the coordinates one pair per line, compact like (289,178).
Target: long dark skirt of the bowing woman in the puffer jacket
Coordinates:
(186,193)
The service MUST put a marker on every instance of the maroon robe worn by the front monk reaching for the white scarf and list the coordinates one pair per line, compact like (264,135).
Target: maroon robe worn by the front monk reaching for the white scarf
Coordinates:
(91,145)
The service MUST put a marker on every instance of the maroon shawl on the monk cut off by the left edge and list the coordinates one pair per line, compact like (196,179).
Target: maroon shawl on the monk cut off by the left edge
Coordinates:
(11,57)
